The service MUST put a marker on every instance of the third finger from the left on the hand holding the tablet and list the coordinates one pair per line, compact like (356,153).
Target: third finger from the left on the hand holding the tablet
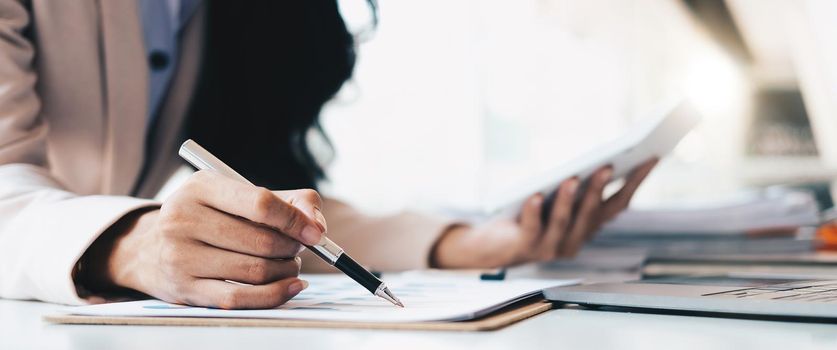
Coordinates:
(587,216)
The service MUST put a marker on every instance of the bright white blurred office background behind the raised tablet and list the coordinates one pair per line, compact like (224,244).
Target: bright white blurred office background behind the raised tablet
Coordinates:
(454,99)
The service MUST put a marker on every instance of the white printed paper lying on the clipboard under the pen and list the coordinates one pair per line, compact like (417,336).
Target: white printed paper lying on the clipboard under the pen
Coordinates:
(338,298)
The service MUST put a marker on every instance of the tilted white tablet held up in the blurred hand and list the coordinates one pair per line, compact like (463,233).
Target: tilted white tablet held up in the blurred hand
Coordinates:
(654,137)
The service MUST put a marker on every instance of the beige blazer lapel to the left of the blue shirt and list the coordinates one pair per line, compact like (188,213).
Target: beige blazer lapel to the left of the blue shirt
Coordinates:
(125,75)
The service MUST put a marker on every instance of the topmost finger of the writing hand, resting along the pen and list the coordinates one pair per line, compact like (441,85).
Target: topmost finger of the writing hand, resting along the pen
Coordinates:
(255,204)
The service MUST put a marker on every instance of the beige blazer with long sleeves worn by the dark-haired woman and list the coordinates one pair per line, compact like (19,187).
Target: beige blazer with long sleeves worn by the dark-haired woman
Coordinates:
(73,106)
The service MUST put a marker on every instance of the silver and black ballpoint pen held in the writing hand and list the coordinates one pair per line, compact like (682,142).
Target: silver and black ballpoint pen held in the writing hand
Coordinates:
(329,251)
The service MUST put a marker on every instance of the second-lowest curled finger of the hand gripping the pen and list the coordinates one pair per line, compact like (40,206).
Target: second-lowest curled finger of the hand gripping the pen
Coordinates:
(225,265)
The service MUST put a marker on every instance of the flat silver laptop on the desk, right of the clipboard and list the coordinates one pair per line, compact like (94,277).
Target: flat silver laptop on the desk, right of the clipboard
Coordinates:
(755,296)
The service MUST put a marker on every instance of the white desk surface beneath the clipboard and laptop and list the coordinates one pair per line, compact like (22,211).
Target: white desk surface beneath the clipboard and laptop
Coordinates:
(21,327)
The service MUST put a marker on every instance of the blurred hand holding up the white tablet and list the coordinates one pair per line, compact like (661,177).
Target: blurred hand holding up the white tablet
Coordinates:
(529,238)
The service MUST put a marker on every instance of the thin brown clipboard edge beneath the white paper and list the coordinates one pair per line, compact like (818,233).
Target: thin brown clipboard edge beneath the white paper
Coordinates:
(506,316)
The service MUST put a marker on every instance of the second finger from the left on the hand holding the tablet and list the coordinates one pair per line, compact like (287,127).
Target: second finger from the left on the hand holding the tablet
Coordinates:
(559,220)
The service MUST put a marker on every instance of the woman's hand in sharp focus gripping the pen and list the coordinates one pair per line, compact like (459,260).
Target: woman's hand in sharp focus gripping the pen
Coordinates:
(212,230)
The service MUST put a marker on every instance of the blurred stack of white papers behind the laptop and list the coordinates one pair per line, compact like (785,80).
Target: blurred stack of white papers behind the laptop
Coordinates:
(768,221)
